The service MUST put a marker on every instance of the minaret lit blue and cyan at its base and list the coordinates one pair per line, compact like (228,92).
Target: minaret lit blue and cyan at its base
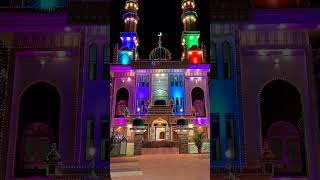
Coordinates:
(129,38)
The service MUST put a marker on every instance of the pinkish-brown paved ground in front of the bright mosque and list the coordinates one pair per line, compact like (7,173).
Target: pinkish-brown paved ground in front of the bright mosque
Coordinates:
(161,164)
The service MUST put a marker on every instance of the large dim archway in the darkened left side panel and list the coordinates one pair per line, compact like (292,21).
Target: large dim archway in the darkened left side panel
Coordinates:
(38,127)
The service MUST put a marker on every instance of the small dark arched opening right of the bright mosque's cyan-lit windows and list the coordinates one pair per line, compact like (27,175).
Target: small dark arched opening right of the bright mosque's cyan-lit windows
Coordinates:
(198,104)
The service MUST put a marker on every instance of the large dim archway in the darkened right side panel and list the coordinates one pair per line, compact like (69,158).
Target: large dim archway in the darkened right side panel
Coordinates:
(282,126)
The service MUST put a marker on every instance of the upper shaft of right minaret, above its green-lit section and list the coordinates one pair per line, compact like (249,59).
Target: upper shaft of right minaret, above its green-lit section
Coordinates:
(189,16)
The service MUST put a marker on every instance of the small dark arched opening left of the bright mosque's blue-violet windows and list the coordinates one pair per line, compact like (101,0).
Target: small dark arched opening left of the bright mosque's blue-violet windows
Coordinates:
(122,100)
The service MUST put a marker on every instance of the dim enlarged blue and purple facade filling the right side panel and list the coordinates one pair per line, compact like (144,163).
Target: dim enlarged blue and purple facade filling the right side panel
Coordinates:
(263,87)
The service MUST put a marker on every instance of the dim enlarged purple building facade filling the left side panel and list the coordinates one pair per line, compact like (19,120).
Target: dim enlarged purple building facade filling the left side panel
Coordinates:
(54,58)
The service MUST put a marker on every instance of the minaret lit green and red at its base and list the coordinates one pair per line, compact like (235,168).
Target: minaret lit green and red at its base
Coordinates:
(193,53)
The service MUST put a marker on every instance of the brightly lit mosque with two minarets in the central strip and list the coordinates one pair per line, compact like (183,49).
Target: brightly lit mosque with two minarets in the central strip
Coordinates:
(160,90)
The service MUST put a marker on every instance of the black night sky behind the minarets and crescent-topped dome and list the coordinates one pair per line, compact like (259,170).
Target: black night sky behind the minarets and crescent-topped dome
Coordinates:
(159,16)
